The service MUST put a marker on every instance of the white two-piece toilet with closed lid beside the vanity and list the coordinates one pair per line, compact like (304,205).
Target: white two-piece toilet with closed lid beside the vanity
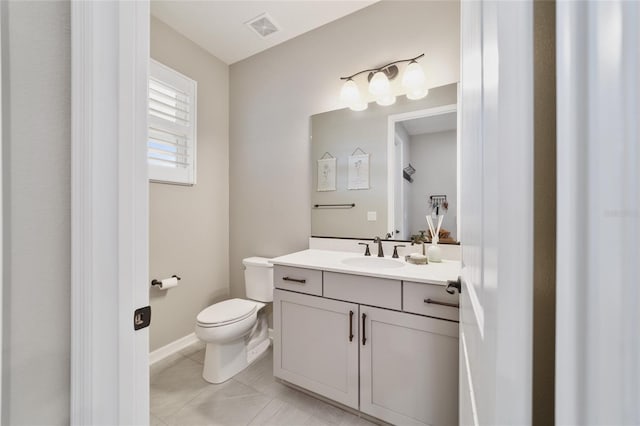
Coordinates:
(236,330)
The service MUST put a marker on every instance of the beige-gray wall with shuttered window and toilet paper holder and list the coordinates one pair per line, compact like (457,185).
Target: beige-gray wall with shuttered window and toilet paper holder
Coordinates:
(189,225)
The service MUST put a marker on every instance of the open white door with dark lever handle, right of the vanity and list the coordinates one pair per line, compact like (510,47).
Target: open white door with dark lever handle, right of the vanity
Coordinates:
(497,212)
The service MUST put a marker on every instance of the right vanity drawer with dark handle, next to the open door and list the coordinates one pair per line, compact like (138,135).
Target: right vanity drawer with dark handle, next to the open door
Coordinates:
(415,296)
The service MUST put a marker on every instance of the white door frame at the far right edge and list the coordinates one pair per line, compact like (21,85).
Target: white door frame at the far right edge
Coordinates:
(597,298)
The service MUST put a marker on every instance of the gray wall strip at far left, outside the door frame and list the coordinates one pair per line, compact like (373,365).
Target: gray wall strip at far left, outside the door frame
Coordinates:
(36,176)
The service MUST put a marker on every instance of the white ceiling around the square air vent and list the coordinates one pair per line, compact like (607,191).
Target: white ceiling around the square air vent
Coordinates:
(219,26)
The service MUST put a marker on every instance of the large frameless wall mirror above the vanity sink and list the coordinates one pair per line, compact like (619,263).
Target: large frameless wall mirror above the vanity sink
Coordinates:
(379,172)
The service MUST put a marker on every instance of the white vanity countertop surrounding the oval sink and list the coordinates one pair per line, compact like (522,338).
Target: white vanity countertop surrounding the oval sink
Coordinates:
(330,260)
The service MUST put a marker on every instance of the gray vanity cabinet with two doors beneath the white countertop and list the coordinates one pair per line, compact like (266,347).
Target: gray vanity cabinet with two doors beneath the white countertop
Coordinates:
(366,343)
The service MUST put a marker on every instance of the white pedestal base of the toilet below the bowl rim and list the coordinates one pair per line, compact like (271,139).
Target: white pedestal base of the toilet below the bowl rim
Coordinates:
(223,361)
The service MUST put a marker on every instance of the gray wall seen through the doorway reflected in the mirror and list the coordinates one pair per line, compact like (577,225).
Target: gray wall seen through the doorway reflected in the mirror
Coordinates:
(434,157)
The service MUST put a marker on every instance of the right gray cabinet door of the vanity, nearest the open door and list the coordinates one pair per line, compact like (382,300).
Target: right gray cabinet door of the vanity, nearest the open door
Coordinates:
(408,368)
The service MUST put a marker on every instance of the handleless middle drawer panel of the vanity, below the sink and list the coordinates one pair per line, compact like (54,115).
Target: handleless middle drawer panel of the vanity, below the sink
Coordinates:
(380,292)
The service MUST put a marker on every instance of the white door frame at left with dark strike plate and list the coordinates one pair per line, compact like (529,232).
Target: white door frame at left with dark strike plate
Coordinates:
(109,212)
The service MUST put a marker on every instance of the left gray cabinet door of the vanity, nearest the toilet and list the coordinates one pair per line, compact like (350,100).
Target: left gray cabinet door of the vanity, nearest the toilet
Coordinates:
(316,345)
